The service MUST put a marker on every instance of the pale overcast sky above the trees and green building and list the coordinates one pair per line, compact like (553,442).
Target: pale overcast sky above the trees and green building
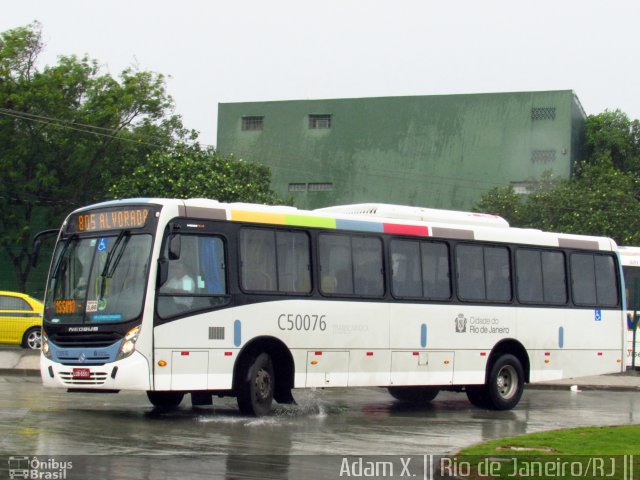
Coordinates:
(254,50)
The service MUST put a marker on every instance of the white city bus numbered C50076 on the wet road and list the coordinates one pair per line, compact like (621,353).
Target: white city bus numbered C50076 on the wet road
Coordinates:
(194,296)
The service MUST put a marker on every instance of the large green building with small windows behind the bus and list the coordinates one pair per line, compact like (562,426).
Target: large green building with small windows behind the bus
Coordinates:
(439,151)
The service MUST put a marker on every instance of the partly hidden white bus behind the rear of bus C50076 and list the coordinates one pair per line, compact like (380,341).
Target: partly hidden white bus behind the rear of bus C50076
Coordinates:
(630,259)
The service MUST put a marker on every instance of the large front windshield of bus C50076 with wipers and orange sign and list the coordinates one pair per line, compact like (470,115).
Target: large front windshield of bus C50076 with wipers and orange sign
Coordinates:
(98,279)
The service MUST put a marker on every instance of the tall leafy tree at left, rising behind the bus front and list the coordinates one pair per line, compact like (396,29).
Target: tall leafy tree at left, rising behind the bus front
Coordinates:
(66,131)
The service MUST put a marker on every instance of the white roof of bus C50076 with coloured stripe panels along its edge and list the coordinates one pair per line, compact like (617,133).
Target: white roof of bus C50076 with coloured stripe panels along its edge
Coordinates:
(377,218)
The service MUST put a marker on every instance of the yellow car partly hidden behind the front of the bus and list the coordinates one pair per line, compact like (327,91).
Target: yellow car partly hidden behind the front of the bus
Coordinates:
(20,320)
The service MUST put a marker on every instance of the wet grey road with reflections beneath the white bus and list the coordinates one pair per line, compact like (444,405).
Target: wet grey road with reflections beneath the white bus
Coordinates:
(42,422)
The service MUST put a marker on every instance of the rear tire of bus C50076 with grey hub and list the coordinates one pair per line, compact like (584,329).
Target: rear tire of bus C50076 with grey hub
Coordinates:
(505,383)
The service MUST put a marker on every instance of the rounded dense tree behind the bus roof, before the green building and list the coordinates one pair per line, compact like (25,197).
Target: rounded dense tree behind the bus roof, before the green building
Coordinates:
(192,172)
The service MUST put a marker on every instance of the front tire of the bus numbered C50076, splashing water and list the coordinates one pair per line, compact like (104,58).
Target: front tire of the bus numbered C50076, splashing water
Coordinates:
(256,386)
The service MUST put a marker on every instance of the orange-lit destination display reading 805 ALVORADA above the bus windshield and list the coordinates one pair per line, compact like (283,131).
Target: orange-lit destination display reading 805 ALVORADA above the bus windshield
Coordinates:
(111,219)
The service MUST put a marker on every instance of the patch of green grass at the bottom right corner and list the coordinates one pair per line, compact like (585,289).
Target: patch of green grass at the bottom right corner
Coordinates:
(586,452)
